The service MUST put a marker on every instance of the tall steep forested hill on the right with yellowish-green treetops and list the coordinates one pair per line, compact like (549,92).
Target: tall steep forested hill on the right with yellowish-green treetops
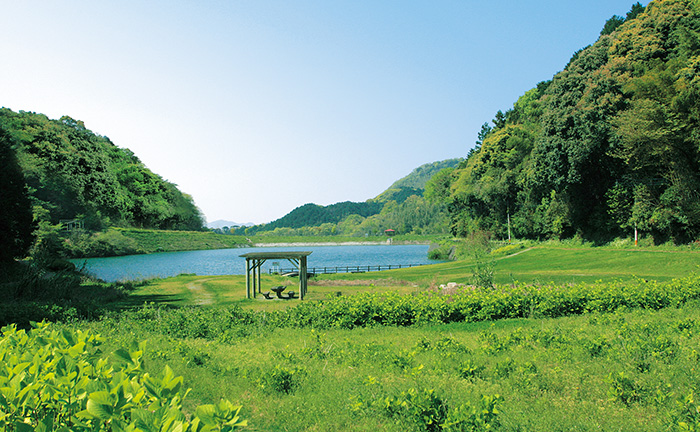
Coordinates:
(610,144)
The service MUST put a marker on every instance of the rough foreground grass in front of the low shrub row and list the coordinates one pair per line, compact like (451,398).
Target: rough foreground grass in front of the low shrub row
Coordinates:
(629,370)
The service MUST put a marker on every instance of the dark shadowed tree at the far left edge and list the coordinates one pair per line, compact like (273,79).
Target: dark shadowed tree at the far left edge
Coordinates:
(16,221)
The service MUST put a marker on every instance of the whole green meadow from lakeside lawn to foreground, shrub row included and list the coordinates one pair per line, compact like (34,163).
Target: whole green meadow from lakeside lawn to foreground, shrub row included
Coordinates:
(569,339)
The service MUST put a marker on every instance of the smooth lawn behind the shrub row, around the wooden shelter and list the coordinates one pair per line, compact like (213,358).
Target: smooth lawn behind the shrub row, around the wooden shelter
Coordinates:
(541,264)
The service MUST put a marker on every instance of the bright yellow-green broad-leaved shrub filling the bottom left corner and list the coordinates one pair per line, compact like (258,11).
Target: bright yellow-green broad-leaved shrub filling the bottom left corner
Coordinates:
(57,380)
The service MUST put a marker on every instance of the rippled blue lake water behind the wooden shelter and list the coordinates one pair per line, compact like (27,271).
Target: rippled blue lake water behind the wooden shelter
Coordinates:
(229,262)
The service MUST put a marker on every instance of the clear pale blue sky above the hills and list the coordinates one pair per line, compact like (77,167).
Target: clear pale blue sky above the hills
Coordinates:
(257,107)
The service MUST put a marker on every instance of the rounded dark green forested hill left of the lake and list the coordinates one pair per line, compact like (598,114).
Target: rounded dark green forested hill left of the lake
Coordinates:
(73,173)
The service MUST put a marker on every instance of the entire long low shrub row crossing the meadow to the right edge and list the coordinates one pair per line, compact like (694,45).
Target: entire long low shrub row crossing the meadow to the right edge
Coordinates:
(434,307)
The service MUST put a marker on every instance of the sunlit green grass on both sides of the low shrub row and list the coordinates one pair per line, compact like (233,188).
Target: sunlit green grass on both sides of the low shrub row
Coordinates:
(631,370)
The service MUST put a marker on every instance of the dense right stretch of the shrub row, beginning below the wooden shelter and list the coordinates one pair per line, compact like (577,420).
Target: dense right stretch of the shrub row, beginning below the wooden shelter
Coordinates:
(483,303)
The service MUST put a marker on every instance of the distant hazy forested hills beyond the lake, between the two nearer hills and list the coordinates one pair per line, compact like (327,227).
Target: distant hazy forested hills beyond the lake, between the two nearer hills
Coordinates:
(398,208)
